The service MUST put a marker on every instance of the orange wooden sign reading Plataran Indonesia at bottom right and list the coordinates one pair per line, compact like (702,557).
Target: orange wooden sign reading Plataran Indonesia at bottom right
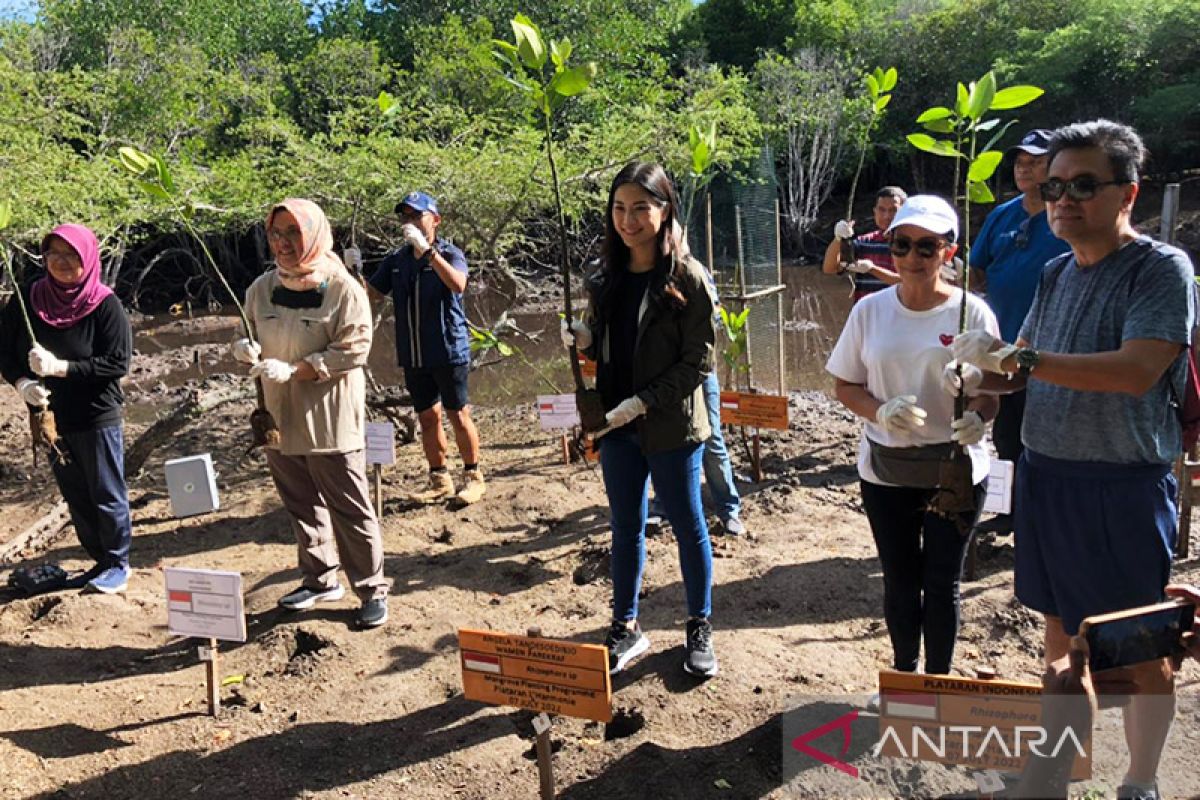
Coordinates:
(988,725)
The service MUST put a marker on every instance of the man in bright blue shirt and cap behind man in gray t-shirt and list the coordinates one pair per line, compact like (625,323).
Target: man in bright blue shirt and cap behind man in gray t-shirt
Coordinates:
(1007,258)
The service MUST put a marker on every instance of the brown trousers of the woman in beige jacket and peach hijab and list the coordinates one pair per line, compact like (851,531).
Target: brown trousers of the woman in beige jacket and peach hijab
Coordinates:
(329,502)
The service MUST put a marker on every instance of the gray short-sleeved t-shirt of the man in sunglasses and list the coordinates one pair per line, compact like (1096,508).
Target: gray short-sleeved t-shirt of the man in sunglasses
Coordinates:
(1145,291)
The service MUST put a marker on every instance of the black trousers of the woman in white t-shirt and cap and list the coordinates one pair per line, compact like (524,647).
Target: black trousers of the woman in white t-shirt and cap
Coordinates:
(922,555)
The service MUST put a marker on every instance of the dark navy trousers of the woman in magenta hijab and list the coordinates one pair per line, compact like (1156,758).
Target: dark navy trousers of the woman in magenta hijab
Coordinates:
(93,484)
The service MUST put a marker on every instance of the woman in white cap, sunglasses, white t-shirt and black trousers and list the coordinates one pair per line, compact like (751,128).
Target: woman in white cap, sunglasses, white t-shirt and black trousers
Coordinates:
(889,365)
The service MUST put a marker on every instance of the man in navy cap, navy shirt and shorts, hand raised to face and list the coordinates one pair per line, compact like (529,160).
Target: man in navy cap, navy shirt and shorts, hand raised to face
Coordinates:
(427,279)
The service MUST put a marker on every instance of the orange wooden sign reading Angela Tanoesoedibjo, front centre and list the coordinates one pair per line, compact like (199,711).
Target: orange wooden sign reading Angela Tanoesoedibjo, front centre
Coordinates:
(538,675)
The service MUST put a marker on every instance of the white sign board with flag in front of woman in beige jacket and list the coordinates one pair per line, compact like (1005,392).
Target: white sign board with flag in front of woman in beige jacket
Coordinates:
(206,604)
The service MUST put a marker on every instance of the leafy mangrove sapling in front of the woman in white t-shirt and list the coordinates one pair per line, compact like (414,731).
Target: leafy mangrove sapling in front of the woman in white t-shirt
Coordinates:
(964,124)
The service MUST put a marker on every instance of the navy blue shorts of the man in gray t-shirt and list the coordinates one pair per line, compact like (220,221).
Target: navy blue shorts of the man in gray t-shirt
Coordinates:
(1093,538)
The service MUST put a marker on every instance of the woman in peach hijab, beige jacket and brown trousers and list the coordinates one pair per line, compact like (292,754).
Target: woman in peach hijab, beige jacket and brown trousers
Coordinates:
(314,330)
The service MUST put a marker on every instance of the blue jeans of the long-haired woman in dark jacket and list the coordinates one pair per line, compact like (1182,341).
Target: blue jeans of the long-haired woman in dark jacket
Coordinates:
(676,476)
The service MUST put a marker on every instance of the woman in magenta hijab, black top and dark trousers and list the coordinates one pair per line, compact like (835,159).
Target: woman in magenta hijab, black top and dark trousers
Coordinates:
(75,368)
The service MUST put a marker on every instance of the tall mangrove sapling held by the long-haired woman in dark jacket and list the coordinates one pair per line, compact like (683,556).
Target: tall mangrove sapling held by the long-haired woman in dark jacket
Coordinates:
(527,69)
